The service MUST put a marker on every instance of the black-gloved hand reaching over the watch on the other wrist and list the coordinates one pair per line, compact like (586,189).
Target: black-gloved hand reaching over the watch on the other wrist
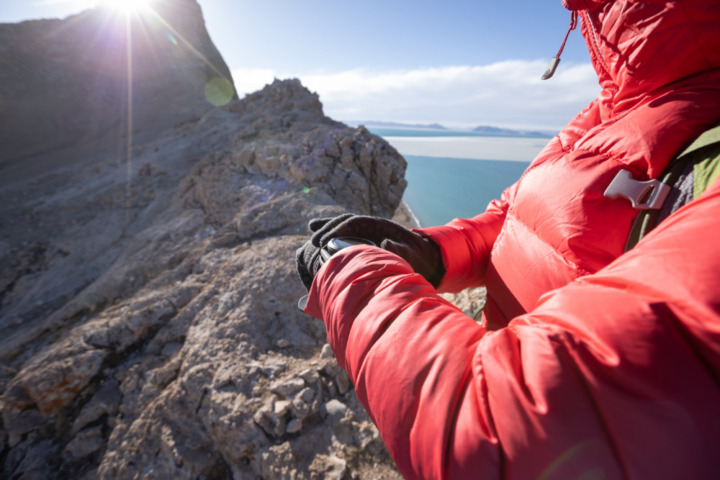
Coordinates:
(421,253)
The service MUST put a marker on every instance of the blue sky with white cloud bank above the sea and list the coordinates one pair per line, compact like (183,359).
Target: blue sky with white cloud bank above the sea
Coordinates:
(460,63)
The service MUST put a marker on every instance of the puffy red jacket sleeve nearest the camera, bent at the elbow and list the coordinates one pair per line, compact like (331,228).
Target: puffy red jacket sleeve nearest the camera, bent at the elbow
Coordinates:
(615,375)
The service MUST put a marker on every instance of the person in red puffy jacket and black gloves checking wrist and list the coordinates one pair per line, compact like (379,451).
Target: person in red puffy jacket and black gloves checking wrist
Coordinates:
(590,361)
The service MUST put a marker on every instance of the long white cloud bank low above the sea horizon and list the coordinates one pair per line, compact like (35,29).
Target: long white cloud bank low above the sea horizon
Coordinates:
(507,94)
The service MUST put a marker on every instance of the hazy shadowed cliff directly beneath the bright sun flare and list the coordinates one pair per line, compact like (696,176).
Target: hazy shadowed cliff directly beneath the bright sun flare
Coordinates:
(64,83)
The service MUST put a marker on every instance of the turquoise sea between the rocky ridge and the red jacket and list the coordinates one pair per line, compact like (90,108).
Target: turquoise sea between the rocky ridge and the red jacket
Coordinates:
(458,176)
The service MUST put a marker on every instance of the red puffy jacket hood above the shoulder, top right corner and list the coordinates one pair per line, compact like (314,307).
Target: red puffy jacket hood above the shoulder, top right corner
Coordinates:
(640,46)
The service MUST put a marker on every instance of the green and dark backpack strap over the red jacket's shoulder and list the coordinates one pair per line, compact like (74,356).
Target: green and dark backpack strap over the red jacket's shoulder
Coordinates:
(692,171)
